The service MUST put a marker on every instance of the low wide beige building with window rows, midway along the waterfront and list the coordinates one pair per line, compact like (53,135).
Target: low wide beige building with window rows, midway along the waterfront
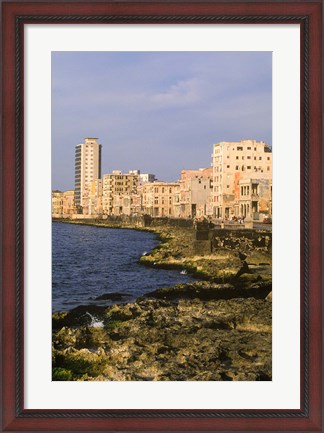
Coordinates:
(160,199)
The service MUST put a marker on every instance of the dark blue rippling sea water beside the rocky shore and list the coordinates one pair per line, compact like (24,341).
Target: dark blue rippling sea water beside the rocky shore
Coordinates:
(88,262)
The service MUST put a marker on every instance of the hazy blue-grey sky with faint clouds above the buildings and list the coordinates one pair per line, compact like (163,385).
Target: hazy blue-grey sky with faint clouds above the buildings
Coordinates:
(157,112)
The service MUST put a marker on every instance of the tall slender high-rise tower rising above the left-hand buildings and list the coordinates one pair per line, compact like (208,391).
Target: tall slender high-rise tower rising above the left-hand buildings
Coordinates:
(87,167)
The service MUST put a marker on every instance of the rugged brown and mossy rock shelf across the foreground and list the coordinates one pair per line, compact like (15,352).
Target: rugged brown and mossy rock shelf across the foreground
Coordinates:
(158,340)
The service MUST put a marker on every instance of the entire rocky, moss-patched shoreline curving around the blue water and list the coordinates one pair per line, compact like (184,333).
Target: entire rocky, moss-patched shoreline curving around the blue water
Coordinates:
(216,327)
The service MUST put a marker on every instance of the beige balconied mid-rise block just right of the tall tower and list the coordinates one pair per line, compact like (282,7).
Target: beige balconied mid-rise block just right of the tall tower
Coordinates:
(119,191)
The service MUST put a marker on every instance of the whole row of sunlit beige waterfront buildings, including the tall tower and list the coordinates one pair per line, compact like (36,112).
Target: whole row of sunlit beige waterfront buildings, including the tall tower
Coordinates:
(238,185)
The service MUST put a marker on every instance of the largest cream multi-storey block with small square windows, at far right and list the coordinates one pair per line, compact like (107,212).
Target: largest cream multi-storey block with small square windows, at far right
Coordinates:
(233,163)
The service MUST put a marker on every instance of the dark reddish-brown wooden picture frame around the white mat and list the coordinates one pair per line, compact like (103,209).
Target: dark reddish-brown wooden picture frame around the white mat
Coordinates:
(309,15)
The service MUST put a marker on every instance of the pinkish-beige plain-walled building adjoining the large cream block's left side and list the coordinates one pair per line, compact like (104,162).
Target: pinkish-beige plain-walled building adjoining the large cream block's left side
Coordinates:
(196,188)
